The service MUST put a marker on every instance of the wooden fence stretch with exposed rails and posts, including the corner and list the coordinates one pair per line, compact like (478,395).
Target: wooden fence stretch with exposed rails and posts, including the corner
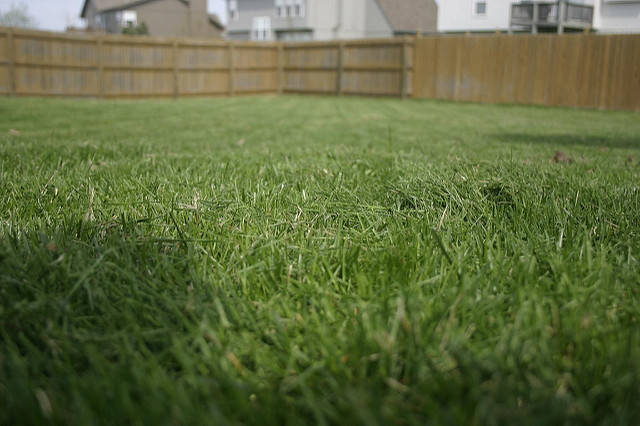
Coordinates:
(51,64)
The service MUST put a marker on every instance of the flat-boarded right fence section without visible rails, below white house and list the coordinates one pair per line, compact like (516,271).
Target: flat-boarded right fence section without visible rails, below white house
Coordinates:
(579,70)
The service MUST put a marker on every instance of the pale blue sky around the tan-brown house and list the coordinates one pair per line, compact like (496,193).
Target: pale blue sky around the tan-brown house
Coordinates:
(57,15)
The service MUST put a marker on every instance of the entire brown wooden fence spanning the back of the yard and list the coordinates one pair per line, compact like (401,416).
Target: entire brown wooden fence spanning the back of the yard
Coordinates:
(583,70)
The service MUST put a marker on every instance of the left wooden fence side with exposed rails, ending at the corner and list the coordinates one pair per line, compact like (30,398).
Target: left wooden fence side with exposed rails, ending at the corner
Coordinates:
(50,64)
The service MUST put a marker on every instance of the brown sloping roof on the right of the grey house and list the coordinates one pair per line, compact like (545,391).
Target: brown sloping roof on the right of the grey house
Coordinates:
(410,15)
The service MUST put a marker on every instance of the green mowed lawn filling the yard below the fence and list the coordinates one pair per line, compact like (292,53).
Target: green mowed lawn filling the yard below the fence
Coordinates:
(310,260)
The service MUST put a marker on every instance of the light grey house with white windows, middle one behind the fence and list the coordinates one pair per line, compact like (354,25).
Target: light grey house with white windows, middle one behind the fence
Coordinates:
(328,19)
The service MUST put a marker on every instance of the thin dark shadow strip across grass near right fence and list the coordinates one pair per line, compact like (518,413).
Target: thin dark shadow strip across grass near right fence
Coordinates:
(558,140)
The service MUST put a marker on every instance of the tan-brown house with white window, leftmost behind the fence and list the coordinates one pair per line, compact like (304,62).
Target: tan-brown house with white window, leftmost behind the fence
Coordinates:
(169,18)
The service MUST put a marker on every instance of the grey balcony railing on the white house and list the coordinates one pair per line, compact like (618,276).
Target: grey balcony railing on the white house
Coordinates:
(551,14)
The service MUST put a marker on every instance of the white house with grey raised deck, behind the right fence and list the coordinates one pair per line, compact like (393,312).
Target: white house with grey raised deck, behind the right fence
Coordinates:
(604,16)
